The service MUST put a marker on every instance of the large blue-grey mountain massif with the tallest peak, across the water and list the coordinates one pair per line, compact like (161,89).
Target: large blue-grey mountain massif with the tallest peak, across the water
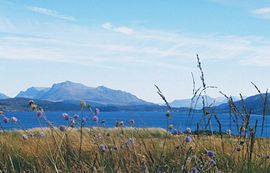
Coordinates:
(73,92)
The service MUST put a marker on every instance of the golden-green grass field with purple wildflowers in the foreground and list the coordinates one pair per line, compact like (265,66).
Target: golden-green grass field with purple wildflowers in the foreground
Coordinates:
(129,150)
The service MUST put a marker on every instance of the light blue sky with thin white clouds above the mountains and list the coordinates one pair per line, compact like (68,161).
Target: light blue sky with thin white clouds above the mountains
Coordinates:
(132,45)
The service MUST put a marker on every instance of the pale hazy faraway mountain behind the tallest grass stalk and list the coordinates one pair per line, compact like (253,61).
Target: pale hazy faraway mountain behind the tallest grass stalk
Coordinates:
(187,102)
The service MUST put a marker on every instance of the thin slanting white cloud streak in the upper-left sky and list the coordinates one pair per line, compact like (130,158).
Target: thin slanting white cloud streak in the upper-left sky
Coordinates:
(50,12)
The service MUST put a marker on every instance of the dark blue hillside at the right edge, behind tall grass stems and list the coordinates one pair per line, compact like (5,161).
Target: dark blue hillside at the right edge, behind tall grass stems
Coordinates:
(254,103)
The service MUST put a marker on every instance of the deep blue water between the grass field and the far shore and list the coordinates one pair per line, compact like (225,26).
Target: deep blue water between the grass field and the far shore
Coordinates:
(180,120)
